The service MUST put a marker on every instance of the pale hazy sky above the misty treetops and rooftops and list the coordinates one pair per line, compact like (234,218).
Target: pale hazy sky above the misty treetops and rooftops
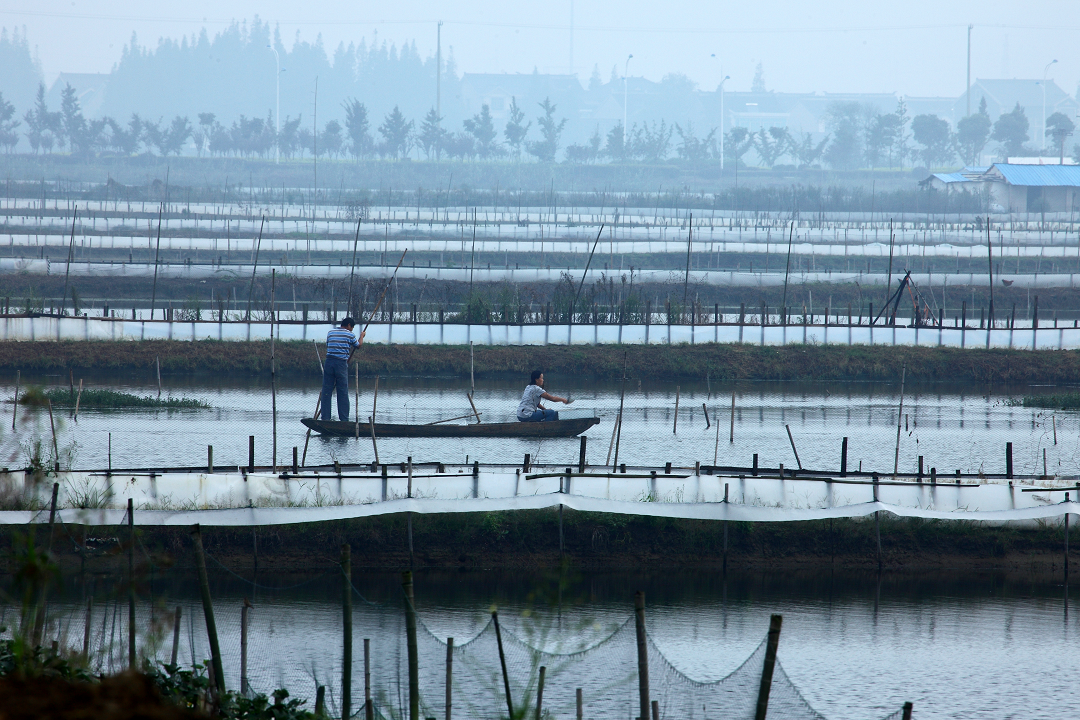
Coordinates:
(911,47)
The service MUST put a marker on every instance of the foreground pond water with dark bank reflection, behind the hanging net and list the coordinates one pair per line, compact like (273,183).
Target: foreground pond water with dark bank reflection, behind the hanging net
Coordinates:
(958,646)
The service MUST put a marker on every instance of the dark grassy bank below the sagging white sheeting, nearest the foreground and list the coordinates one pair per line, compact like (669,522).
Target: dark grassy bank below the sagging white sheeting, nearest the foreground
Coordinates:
(592,541)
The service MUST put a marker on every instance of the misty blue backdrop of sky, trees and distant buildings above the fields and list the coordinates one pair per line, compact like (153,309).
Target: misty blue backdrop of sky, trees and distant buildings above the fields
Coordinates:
(778,86)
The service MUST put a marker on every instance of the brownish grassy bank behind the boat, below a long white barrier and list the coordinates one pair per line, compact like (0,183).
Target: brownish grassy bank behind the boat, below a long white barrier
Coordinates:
(719,362)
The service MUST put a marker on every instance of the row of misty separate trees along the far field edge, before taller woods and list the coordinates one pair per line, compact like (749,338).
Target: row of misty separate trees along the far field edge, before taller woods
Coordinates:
(858,138)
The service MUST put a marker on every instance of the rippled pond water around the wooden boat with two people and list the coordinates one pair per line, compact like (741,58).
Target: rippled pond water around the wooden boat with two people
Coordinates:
(953,427)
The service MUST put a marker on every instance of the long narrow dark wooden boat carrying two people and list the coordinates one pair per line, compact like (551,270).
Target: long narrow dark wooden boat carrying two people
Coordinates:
(550,429)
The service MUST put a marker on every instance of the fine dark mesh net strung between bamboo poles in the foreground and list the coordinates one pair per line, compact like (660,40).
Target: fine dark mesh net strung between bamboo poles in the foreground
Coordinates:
(283,651)
